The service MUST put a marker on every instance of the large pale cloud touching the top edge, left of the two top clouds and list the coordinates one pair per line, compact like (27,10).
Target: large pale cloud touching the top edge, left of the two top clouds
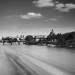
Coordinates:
(44,3)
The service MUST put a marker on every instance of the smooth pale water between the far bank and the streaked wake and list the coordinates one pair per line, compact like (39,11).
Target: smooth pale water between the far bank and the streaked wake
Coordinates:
(64,57)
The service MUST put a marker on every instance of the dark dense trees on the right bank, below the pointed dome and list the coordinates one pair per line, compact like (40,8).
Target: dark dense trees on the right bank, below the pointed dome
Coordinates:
(66,40)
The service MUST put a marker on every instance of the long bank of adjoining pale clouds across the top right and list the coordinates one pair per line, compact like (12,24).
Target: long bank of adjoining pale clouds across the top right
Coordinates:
(57,5)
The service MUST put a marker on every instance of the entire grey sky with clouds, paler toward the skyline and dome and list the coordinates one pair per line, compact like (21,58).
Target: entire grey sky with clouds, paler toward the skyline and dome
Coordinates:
(36,17)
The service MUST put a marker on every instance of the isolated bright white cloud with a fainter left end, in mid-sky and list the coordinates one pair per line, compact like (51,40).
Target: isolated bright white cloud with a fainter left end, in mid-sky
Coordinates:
(31,15)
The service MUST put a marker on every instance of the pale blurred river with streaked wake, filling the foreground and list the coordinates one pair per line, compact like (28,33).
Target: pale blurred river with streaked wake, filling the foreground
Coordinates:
(39,60)
